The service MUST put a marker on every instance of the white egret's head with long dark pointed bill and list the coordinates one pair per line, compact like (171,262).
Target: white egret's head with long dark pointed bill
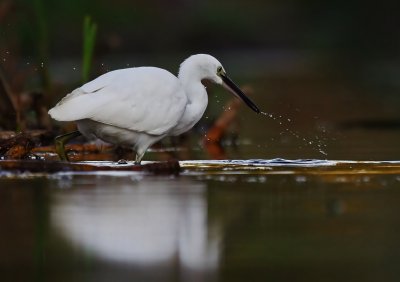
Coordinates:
(207,67)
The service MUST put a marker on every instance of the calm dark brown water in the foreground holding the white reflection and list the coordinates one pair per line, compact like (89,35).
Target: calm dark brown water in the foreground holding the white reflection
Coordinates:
(255,220)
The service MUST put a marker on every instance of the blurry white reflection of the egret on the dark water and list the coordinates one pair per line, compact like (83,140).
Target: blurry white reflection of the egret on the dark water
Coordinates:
(148,224)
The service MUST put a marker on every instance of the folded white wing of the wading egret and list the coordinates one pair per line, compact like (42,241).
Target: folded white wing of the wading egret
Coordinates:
(143,99)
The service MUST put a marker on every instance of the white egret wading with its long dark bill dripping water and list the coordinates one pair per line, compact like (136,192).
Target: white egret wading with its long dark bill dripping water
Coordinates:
(137,107)
